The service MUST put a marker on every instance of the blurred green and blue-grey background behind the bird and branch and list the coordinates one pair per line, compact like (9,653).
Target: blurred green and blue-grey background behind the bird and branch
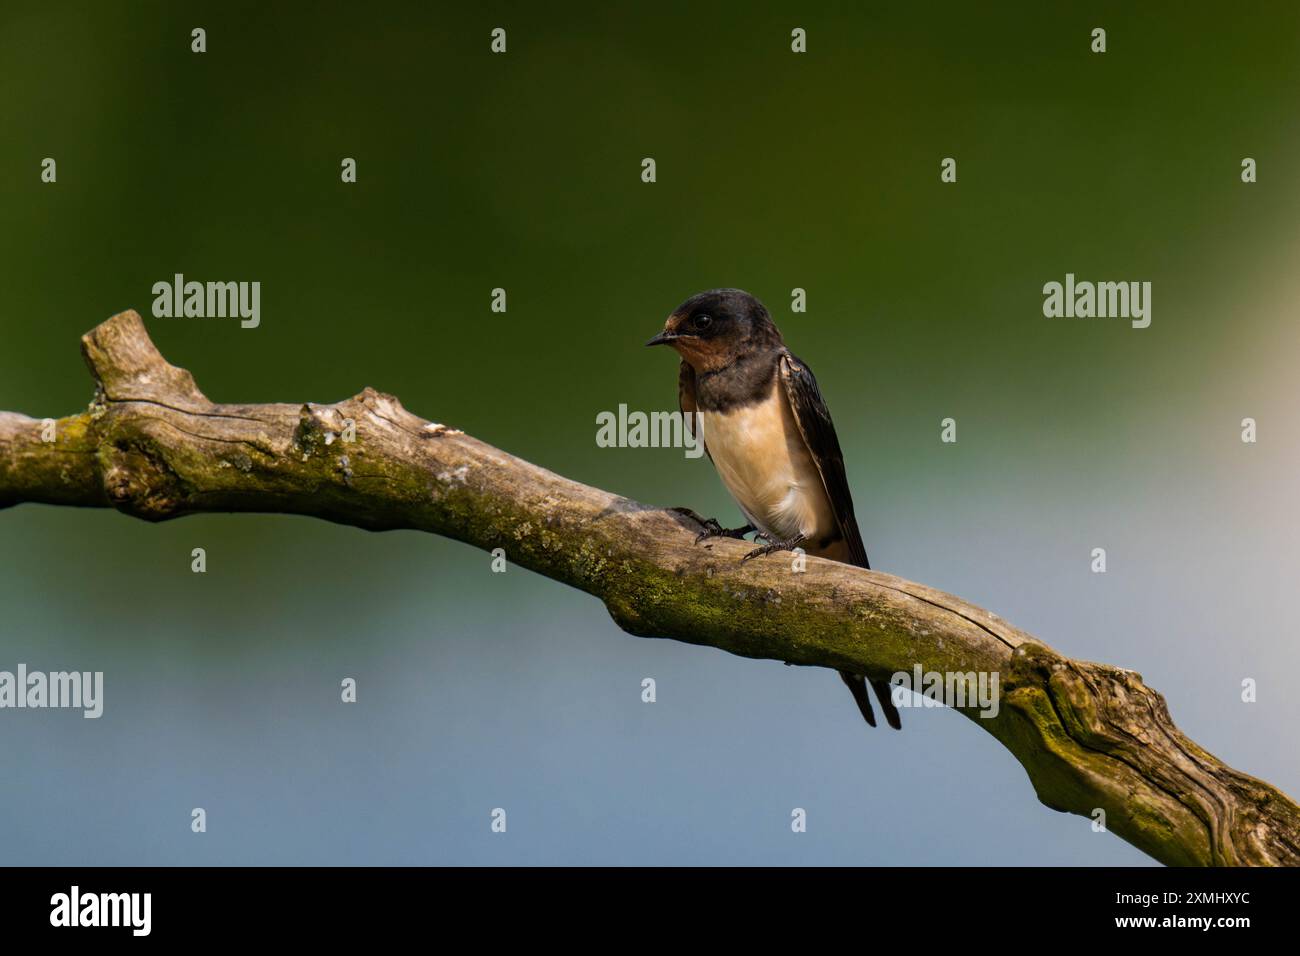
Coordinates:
(522,171)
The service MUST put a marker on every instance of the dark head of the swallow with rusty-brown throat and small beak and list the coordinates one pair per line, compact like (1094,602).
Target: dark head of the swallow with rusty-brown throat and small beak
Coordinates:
(713,330)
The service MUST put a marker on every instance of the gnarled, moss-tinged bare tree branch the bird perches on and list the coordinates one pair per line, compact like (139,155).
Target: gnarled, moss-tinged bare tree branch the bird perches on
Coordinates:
(1090,736)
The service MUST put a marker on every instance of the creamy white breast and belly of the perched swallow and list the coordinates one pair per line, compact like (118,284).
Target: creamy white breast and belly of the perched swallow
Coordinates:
(762,460)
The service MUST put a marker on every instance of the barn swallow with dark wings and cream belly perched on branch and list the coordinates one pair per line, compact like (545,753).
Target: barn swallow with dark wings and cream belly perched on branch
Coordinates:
(769,434)
